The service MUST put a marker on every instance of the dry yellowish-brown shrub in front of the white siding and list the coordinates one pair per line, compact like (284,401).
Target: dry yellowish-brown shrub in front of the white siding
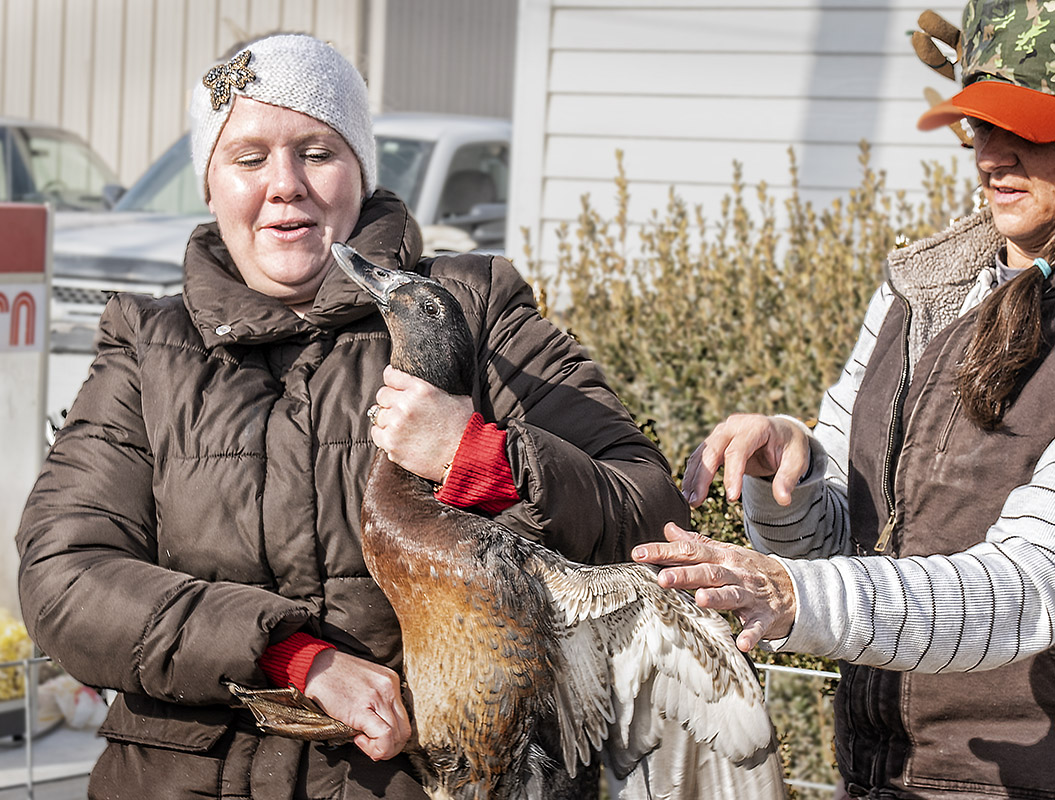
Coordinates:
(701,319)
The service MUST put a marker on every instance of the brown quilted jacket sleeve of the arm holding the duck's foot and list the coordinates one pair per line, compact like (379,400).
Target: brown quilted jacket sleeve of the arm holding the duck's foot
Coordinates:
(92,594)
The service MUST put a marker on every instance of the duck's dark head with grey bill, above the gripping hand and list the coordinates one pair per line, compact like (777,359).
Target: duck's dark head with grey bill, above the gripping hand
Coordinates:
(431,338)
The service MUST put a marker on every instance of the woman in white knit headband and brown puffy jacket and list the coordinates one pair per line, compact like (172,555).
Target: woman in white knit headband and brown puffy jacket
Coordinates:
(197,523)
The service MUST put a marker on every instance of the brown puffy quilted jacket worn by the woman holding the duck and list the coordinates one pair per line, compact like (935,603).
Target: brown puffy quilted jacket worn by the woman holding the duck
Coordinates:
(202,502)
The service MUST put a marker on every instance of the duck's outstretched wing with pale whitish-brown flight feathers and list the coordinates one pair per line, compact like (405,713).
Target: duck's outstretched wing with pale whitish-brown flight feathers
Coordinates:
(659,685)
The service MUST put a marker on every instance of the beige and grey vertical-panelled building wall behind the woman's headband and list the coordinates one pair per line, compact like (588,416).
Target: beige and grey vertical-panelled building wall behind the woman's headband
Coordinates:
(121,72)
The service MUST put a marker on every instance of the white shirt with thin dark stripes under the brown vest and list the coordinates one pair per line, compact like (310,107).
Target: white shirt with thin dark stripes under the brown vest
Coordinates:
(979,609)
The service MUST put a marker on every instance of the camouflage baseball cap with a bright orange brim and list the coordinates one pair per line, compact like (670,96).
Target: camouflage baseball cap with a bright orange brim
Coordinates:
(1008,68)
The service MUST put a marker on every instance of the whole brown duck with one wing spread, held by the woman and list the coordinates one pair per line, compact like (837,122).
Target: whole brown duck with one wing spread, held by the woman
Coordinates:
(524,671)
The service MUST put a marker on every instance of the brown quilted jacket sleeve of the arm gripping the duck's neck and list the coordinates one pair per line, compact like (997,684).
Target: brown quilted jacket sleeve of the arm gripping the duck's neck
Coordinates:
(592,485)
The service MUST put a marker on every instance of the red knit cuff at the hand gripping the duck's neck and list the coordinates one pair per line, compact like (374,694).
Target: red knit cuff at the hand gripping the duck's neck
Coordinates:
(481,475)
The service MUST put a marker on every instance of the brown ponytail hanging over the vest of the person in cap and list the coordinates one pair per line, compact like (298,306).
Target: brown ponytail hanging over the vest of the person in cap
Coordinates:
(1007,346)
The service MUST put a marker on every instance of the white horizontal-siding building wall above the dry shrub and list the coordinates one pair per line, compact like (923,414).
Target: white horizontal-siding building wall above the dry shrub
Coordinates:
(684,88)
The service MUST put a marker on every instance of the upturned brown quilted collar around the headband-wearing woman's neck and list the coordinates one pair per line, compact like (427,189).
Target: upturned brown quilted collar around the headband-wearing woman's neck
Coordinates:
(226,312)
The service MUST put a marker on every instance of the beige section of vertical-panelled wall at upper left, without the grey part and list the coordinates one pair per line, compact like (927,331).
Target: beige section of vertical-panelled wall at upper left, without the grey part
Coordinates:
(121,72)
